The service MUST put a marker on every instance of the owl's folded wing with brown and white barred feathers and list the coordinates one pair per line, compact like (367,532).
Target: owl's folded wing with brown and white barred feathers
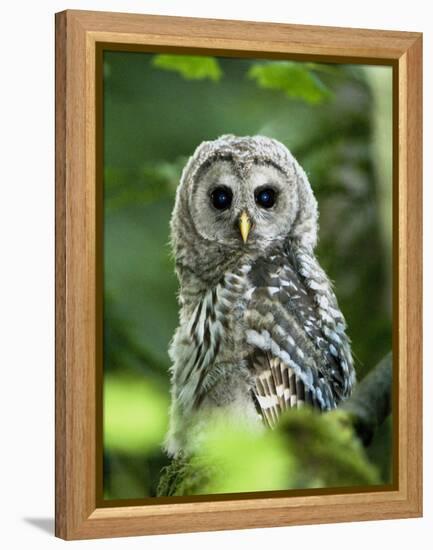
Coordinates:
(301,353)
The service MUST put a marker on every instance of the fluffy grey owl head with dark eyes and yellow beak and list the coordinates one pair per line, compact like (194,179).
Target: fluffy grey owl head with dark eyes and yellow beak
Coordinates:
(241,196)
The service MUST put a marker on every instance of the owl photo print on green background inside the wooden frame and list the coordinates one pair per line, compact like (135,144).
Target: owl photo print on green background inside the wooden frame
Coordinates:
(247,276)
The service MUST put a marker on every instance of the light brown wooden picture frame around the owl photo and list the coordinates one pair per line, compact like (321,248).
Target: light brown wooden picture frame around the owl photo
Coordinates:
(80,38)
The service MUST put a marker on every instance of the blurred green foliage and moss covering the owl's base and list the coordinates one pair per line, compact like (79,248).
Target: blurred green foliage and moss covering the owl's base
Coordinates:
(306,451)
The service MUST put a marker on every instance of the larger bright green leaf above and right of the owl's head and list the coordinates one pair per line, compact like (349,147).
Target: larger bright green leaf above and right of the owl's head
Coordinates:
(294,79)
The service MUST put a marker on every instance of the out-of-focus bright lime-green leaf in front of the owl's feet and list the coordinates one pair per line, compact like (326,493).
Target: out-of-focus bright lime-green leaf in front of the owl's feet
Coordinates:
(230,459)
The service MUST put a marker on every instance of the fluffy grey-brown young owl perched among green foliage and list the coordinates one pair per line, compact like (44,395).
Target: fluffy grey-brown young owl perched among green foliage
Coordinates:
(260,330)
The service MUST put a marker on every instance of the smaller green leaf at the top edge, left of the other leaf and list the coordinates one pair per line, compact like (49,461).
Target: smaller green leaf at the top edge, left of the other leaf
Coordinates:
(191,67)
